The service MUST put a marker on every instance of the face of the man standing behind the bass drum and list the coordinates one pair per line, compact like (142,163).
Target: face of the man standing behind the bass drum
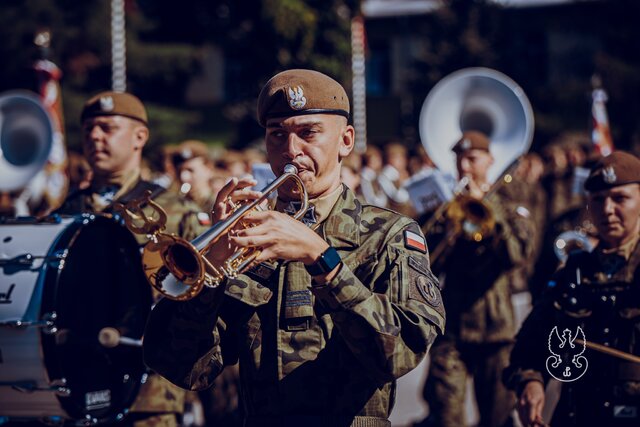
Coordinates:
(113,144)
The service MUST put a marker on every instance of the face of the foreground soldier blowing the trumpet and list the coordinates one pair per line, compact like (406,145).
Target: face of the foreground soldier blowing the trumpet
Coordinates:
(315,144)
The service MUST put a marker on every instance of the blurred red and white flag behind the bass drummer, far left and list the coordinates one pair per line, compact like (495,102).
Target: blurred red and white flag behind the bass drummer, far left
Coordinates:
(53,180)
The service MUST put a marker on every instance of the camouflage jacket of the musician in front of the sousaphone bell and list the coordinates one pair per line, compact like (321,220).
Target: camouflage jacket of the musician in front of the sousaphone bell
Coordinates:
(475,275)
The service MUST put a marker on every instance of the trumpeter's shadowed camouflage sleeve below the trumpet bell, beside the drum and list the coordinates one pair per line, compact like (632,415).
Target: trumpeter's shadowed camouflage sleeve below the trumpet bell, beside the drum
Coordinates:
(190,342)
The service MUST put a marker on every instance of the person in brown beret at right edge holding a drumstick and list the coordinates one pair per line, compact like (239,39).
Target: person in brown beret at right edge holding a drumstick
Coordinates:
(585,332)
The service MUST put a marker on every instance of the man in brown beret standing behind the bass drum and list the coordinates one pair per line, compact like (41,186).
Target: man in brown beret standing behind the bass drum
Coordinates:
(115,130)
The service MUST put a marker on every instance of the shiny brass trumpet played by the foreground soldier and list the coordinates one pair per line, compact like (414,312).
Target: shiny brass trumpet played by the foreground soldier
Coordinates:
(179,269)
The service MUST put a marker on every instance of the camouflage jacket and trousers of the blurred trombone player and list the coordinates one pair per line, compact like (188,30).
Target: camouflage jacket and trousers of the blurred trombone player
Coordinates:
(480,326)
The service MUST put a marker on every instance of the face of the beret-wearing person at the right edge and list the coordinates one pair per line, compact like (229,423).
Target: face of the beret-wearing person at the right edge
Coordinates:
(616,213)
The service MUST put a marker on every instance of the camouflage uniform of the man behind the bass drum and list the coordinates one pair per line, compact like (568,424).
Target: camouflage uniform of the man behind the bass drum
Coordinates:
(158,402)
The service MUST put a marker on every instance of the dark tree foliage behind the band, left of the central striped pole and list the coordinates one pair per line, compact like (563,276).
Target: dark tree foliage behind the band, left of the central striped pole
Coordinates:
(165,43)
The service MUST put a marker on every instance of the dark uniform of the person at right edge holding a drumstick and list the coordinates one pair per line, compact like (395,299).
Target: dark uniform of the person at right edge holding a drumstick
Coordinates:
(605,302)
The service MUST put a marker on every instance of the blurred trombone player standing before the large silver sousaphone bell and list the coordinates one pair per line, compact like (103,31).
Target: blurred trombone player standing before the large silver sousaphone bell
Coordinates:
(474,271)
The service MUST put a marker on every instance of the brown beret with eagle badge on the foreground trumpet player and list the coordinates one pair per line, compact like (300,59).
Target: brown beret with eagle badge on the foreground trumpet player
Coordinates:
(300,92)
